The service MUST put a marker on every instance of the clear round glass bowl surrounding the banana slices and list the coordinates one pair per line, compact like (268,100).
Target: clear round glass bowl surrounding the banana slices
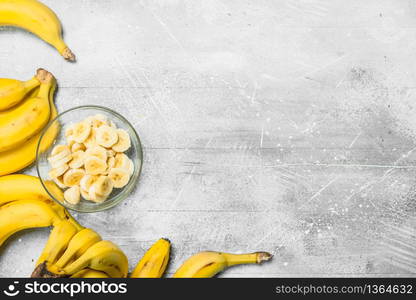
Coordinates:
(57,128)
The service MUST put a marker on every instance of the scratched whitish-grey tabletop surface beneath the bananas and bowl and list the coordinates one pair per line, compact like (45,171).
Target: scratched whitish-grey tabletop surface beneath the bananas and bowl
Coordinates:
(286,126)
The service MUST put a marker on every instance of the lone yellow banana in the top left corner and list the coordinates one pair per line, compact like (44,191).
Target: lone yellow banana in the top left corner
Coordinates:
(37,18)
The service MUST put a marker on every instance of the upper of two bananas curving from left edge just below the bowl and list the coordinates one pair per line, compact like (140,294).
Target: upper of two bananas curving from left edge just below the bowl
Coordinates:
(20,187)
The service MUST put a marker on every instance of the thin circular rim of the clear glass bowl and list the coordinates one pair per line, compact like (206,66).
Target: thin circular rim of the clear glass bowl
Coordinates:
(110,111)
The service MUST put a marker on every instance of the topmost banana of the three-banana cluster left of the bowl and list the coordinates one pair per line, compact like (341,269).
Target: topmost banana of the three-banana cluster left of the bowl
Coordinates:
(12,91)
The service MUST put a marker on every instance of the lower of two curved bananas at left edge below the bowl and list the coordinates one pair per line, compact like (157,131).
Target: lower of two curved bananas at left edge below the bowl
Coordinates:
(19,215)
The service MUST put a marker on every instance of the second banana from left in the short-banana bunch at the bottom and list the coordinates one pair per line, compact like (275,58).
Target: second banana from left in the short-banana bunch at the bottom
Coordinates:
(80,243)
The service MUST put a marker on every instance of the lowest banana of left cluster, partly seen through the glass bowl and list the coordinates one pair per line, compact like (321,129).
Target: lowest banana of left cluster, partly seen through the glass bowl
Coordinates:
(16,159)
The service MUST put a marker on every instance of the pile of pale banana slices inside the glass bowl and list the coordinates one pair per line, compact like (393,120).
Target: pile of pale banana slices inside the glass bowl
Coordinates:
(92,162)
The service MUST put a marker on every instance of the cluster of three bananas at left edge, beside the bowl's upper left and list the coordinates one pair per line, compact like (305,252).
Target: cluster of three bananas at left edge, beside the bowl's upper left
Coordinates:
(26,107)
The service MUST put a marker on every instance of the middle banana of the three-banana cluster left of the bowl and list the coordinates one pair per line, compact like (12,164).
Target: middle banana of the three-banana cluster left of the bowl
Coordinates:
(20,123)
